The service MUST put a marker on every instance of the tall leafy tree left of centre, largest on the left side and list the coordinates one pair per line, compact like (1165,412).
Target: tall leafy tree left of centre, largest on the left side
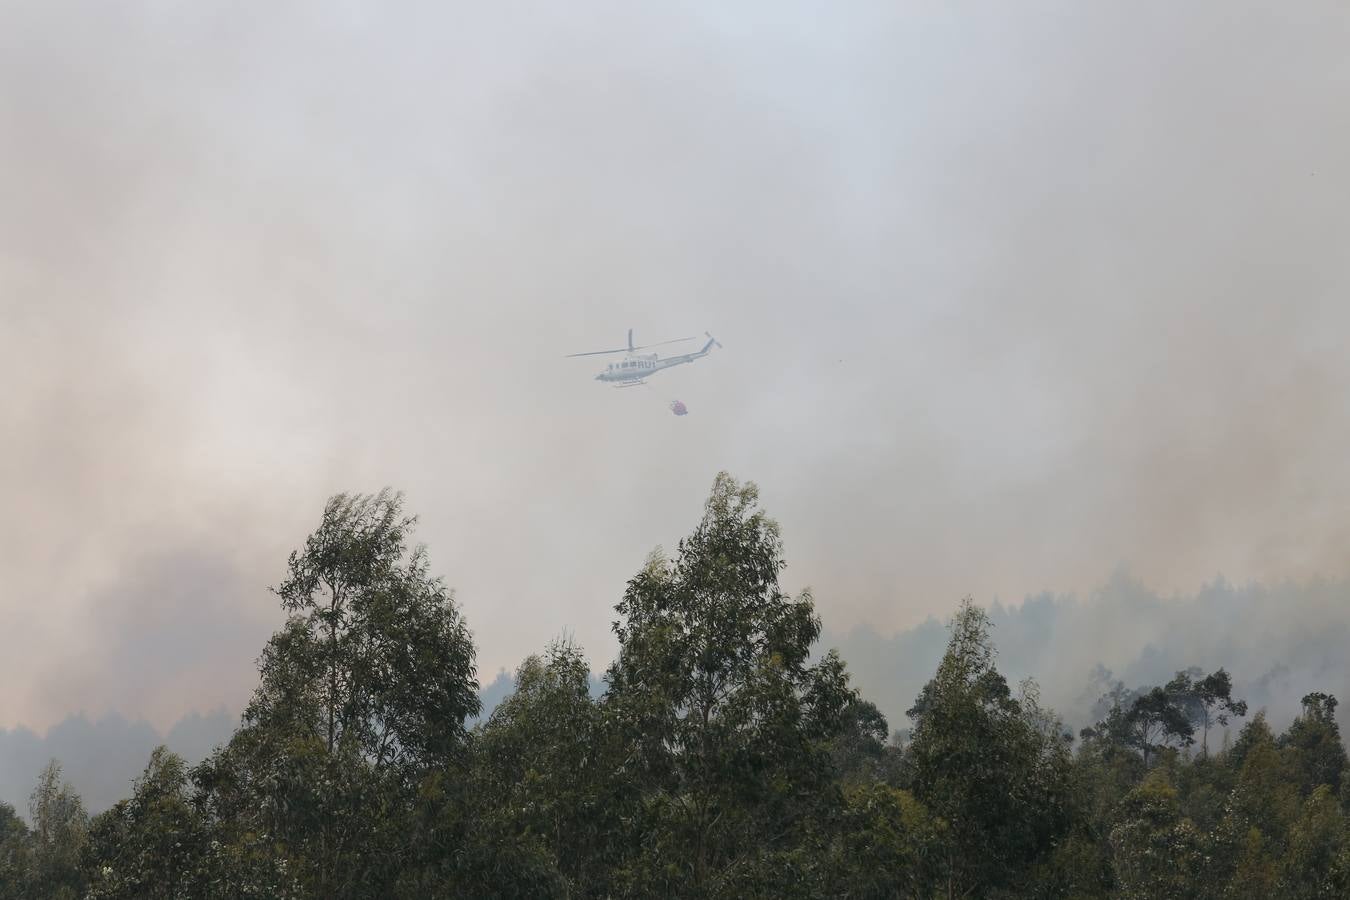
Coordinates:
(362,696)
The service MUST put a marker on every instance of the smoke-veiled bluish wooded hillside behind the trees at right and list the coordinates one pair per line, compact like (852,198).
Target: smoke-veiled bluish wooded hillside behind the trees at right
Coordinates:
(1278,643)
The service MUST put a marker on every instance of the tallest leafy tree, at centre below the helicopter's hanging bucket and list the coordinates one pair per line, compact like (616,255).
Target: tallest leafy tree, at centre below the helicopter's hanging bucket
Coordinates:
(722,719)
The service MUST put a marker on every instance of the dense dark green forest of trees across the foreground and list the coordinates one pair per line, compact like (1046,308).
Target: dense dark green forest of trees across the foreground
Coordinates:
(726,758)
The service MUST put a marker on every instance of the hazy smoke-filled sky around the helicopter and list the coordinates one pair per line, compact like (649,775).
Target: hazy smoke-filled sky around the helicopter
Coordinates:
(1010,295)
